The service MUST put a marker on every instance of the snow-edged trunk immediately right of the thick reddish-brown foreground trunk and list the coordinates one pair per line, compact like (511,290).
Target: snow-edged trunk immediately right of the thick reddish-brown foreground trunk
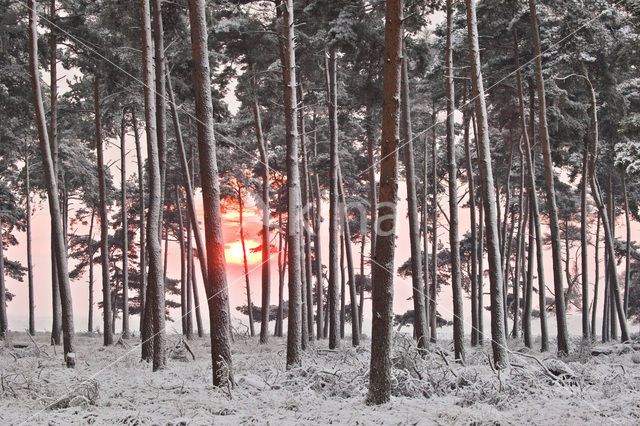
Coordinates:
(420,318)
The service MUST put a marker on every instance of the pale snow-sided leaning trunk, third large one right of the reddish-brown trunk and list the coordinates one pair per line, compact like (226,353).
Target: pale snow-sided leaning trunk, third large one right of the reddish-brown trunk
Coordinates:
(488,190)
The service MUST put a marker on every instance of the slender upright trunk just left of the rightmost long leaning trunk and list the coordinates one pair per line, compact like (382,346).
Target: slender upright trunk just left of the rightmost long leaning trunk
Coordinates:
(584,242)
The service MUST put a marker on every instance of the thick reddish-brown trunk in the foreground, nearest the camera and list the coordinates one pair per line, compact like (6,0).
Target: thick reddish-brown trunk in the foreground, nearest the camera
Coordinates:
(382,296)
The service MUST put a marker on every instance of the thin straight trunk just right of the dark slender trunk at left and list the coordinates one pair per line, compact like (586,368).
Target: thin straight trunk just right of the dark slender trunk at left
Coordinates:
(125,233)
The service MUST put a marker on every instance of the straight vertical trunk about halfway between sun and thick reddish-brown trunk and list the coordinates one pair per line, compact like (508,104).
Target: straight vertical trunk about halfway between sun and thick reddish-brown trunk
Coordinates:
(334,236)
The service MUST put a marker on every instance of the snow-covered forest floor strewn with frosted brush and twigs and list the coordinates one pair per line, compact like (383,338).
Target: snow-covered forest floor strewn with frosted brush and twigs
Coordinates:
(111,386)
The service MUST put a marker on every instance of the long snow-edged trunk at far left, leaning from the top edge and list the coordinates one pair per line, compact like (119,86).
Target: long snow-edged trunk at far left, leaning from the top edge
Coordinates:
(60,249)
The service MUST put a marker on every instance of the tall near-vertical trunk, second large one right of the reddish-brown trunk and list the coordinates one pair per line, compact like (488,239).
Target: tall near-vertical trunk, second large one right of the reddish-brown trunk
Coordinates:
(454,239)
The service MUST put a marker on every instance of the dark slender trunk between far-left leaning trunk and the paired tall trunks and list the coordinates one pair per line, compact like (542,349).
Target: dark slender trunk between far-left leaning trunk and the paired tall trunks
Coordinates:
(104,221)
